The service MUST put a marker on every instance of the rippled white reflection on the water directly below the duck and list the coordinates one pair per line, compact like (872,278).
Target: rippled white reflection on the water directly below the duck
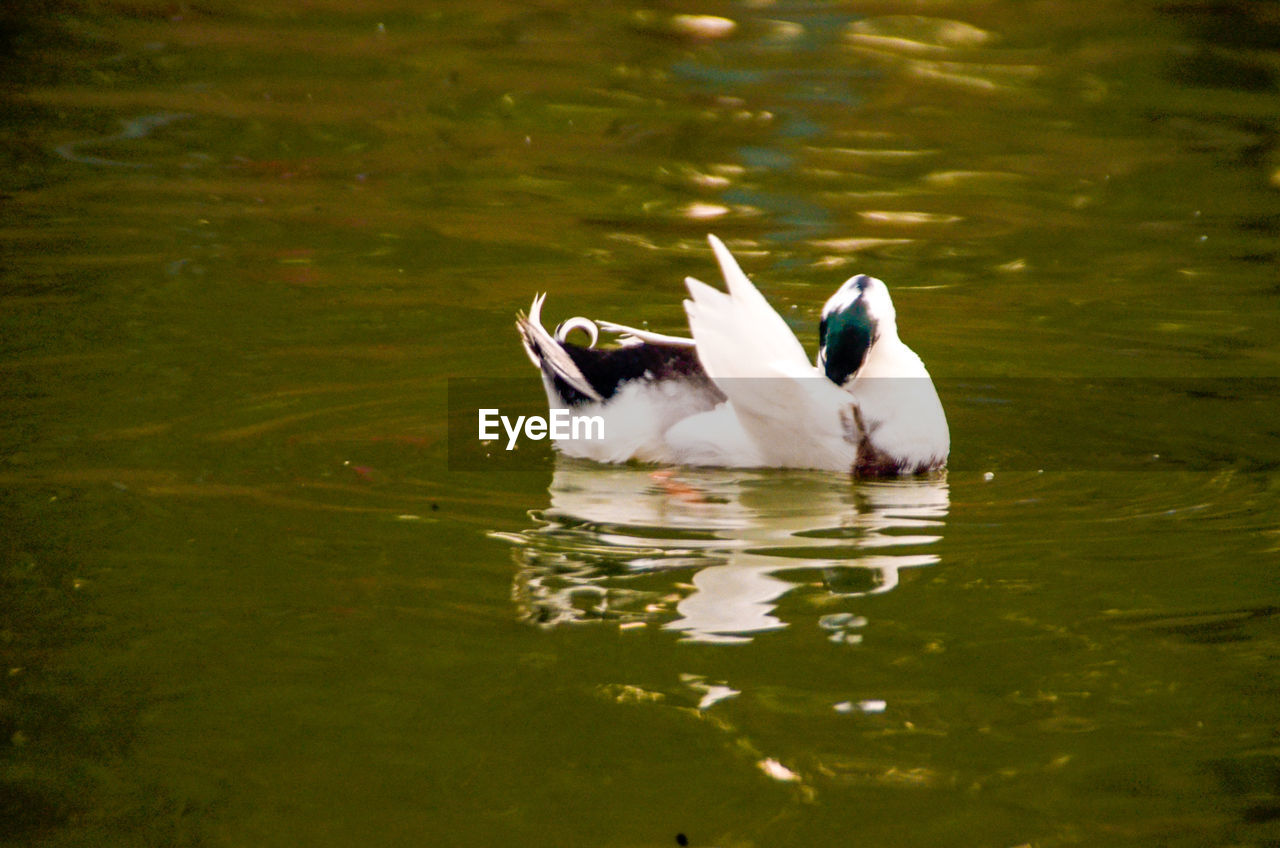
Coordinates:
(620,545)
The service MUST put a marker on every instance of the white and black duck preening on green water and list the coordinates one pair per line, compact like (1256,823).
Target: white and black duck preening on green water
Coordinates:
(742,391)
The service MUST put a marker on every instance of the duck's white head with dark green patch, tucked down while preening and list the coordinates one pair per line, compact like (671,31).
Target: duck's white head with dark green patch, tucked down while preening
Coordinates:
(853,321)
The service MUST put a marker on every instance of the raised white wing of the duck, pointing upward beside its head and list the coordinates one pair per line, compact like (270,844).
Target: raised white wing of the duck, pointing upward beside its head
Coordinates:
(794,414)
